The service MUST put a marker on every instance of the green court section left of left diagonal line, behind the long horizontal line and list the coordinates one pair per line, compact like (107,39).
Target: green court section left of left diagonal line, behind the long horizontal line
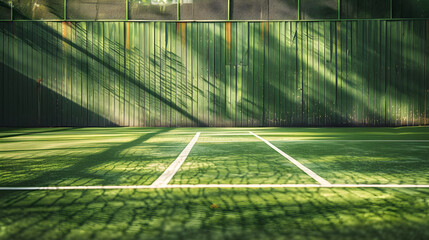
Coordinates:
(74,157)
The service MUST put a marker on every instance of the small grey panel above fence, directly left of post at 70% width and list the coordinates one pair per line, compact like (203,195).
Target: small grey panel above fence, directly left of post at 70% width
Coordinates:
(283,9)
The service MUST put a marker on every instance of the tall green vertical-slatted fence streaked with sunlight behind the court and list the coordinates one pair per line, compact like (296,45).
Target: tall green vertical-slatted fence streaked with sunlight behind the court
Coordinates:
(346,73)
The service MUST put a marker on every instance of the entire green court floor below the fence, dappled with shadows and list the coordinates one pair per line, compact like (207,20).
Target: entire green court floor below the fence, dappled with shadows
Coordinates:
(188,208)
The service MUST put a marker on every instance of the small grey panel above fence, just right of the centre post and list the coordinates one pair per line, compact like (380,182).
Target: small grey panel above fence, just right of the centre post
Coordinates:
(249,9)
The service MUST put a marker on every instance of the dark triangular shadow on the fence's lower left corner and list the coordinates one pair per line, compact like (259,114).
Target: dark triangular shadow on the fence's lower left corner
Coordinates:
(57,109)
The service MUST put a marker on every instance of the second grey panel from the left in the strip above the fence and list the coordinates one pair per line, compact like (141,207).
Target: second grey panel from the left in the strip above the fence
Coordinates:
(96,9)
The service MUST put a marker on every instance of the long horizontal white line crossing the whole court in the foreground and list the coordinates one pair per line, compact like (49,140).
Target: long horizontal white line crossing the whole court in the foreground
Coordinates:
(216,186)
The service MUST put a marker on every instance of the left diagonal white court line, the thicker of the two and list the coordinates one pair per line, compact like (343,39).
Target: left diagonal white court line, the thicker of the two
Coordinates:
(165,178)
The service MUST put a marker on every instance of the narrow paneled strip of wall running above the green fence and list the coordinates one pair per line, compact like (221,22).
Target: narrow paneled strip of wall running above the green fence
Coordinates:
(200,10)
